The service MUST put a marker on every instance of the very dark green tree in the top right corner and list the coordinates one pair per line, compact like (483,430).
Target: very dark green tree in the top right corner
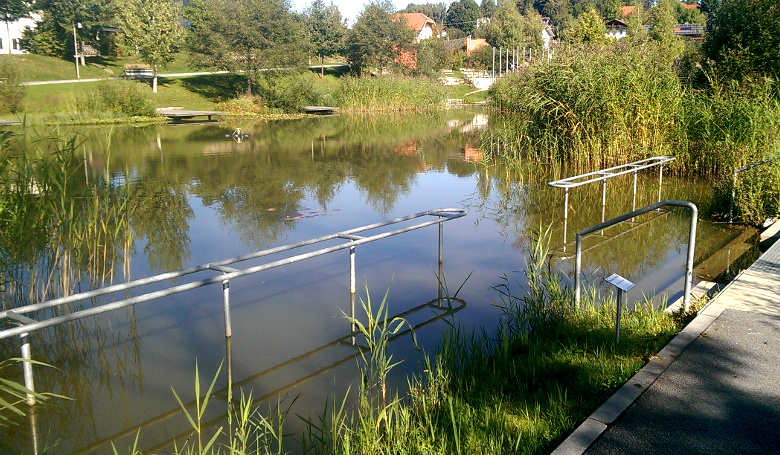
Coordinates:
(743,38)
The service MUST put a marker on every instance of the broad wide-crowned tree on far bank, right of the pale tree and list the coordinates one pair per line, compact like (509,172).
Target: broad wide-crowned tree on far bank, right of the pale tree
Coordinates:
(246,35)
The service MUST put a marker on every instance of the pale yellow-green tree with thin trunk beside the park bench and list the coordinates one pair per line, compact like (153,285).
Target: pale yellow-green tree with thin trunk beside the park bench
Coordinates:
(152,28)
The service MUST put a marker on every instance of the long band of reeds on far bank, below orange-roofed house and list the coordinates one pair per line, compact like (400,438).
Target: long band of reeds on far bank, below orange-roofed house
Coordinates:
(388,93)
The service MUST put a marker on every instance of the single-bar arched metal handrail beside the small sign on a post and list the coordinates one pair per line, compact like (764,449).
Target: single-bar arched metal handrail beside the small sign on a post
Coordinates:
(628,216)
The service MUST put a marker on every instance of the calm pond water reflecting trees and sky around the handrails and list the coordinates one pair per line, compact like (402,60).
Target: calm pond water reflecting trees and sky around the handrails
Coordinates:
(135,202)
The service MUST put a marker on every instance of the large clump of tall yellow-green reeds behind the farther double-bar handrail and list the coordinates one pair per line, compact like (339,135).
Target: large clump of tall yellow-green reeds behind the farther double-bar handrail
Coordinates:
(595,105)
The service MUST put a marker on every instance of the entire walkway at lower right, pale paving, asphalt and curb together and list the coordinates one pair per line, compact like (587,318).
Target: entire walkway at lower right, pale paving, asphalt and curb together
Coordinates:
(715,388)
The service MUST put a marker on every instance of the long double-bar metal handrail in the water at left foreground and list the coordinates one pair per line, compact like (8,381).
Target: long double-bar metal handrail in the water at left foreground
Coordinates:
(25,324)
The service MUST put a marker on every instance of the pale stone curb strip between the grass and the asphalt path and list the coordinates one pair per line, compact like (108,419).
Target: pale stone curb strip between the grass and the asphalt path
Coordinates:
(598,422)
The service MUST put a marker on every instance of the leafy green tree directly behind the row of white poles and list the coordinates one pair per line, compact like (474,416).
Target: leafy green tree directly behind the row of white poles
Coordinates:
(509,29)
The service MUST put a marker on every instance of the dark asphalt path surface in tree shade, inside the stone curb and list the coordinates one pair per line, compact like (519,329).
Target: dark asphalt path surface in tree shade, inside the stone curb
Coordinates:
(720,396)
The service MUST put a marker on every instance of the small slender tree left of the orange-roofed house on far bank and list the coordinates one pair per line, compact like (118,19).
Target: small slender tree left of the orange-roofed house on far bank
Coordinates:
(326,29)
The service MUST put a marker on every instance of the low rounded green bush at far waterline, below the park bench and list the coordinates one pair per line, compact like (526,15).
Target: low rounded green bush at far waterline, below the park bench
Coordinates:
(114,98)
